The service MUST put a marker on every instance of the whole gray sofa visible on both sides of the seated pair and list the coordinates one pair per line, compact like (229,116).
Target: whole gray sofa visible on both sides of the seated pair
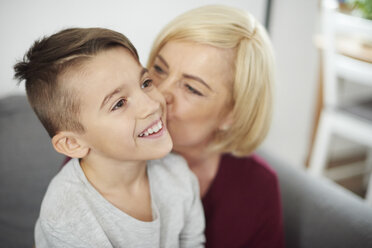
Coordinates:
(317,213)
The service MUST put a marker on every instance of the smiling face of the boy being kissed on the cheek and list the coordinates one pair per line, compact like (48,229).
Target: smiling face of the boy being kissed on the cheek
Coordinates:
(123,113)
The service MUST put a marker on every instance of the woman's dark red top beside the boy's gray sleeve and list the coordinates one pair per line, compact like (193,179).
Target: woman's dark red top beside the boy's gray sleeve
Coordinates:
(242,206)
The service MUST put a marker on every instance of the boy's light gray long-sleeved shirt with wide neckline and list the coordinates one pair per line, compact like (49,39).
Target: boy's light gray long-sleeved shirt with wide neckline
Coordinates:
(74,214)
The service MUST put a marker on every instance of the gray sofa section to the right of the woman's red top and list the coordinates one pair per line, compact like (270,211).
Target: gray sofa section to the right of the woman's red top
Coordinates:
(318,212)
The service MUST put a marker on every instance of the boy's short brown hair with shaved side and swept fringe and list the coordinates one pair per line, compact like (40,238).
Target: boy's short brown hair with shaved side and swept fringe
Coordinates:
(43,66)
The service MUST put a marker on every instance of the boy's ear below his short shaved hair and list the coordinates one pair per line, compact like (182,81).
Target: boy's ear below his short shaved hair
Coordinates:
(69,144)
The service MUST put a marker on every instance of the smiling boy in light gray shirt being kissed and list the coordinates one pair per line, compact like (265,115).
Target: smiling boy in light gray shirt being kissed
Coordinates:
(99,107)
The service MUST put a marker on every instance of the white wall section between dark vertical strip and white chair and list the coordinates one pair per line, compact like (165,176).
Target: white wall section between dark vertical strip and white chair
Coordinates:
(293,24)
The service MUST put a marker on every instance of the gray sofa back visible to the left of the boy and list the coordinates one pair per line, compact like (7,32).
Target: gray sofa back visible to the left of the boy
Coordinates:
(27,164)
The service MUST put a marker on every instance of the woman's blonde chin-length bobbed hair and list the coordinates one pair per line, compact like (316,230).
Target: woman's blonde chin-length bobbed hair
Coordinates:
(227,27)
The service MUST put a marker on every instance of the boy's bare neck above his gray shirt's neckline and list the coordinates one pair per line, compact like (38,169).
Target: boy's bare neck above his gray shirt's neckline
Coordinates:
(124,184)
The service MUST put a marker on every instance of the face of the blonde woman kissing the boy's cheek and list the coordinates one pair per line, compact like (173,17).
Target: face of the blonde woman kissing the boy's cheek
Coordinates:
(196,81)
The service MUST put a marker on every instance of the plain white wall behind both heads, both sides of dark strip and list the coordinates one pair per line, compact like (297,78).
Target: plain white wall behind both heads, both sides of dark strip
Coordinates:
(292,25)
